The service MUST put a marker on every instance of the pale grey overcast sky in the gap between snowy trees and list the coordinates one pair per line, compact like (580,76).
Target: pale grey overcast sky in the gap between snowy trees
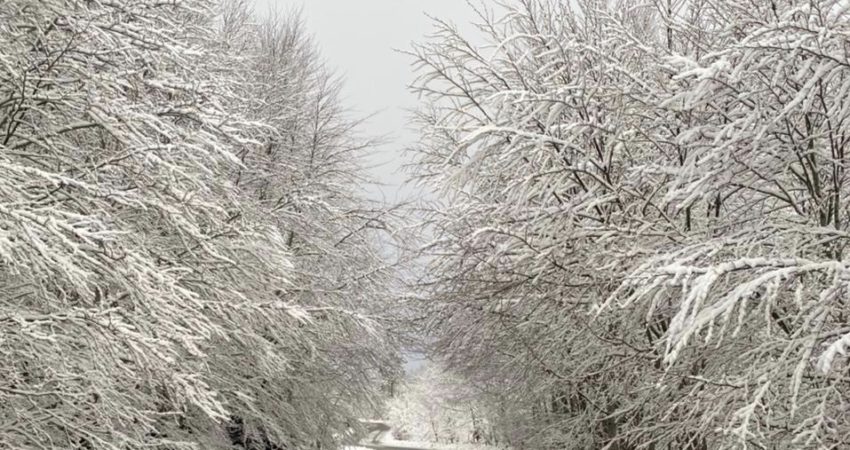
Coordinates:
(358,38)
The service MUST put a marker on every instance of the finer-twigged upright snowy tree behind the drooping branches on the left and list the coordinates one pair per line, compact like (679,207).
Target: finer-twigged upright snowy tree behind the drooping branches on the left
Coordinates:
(307,176)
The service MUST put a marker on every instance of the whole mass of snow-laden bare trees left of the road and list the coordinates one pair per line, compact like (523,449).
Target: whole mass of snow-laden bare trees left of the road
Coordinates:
(181,243)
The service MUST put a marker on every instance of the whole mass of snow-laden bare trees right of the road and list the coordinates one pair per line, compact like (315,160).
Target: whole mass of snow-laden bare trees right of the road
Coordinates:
(641,220)
